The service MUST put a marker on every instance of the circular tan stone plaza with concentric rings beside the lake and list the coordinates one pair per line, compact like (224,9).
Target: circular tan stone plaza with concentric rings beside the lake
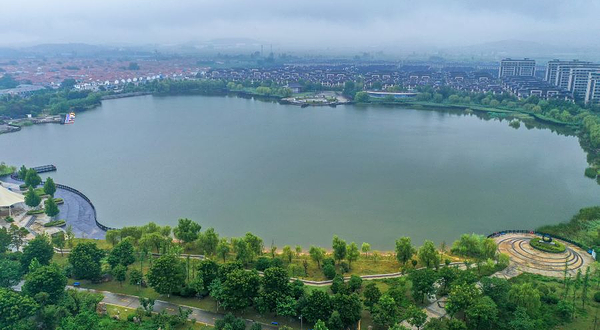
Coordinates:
(524,258)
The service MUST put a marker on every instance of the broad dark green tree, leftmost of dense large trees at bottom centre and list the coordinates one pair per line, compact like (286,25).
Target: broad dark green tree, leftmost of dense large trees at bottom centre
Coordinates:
(240,288)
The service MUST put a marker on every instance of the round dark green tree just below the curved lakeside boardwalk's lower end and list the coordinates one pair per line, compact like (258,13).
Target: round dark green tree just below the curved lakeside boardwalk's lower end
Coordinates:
(85,259)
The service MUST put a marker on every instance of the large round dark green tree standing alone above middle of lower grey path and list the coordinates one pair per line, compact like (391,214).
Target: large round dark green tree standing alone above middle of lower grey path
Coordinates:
(166,274)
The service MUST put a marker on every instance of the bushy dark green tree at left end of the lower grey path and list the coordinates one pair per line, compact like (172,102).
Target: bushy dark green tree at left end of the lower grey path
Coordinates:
(48,279)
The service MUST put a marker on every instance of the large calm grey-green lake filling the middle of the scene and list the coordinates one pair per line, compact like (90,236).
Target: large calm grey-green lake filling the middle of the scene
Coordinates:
(299,175)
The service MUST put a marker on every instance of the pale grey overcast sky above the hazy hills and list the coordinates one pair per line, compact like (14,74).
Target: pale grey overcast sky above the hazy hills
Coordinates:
(311,23)
